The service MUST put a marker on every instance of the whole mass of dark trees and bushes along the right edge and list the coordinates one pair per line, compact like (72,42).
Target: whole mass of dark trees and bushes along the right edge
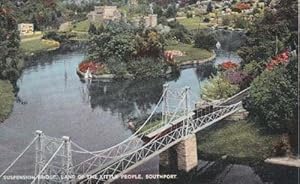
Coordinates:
(273,95)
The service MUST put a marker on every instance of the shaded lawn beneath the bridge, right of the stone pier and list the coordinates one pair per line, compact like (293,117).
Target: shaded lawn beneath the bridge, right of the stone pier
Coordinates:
(237,139)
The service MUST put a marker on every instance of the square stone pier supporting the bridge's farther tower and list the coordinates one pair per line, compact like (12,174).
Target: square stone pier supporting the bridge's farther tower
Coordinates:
(185,155)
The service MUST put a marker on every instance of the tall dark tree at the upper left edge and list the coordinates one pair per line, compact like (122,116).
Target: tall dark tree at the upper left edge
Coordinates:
(10,59)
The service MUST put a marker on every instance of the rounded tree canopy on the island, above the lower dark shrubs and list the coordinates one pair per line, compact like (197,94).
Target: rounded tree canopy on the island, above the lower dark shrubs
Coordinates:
(125,42)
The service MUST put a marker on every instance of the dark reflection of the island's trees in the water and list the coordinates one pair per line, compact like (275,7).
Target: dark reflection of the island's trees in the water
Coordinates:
(129,98)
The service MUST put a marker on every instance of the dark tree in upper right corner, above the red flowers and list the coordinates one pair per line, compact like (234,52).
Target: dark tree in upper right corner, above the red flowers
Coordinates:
(280,23)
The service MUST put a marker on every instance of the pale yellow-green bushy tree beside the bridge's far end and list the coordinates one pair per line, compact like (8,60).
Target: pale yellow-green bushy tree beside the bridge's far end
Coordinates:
(218,87)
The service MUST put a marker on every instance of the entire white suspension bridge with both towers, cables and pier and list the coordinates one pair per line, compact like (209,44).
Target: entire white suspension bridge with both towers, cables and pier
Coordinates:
(61,160)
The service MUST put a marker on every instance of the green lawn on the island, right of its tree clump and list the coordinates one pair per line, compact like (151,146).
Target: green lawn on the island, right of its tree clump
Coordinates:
(191,53)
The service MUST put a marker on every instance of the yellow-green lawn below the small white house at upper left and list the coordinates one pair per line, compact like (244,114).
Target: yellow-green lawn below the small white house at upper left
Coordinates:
(33,46)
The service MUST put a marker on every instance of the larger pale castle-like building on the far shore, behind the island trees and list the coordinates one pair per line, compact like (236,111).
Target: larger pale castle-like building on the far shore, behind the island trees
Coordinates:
(104,13)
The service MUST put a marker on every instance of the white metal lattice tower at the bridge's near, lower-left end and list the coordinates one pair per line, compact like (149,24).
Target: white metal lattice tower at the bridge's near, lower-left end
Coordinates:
(53,157)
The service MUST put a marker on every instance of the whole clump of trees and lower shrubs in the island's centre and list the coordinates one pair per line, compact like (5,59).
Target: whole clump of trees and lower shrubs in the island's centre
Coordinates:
(126,49)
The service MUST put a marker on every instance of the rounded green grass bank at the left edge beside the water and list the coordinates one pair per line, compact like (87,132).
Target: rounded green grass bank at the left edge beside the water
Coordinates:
(7,99)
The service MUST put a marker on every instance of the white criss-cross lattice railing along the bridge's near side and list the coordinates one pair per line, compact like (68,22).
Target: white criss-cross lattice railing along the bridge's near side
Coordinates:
(161,143)
